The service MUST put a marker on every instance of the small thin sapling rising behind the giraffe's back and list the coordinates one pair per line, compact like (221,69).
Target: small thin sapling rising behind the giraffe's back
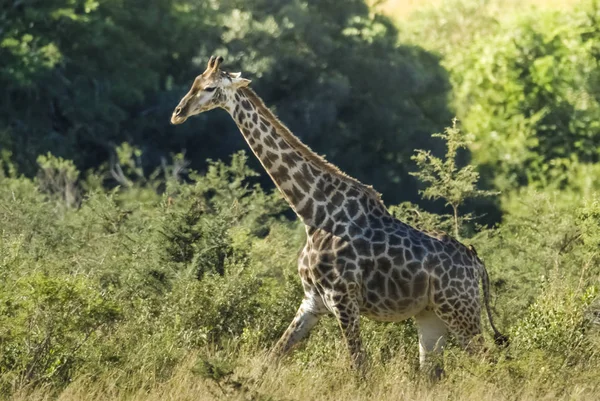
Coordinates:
(445,180)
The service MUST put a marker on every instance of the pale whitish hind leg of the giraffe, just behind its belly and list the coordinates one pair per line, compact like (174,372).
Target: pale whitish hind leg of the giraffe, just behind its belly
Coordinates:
(432,339)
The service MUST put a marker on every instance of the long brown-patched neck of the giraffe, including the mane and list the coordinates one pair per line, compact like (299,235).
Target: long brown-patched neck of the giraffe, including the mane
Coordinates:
(320,194)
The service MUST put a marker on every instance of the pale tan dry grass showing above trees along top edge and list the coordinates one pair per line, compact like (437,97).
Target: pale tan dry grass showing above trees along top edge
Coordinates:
(401,9)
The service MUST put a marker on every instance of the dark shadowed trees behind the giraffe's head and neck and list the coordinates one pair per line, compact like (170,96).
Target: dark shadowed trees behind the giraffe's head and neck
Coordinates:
(82,76)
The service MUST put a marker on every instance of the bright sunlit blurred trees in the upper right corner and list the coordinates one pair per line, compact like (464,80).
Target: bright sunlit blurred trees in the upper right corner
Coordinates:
(526,86)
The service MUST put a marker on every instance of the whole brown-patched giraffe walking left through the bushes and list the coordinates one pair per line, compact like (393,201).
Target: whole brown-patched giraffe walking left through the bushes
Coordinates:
(358,259)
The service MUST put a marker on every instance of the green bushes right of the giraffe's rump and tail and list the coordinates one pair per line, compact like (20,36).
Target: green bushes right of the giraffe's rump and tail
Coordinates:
(545,245)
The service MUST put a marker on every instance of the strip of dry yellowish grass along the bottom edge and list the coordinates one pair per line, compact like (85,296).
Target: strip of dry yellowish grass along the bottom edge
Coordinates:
(254,378)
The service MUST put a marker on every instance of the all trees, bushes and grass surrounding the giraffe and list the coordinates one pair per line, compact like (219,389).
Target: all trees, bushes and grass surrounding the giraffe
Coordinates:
(126,274)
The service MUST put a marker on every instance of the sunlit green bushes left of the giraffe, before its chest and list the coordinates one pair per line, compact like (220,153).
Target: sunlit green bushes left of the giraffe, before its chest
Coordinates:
(133,280)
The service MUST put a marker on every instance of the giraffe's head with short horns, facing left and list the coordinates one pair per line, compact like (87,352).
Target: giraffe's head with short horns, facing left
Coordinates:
(209,90)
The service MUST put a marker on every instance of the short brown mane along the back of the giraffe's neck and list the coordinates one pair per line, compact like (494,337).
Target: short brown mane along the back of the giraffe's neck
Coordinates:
(304,150)
